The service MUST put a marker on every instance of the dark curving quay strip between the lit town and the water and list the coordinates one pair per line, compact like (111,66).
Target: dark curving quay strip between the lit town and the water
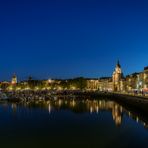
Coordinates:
(138,102)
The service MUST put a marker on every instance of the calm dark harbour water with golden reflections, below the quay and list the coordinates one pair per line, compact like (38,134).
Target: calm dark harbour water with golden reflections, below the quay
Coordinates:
(71,123)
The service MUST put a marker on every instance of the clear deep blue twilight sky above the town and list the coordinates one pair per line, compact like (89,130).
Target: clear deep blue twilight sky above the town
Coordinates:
(70,38)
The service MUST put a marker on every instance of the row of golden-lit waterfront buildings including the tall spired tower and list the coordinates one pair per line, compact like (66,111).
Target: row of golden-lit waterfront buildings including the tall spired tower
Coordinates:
(118,83)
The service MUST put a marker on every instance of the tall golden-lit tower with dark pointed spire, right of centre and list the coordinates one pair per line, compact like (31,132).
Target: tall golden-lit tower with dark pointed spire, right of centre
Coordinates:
(117,77)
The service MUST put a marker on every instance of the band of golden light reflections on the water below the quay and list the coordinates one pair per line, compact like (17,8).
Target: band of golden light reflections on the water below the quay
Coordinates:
(85,106)
